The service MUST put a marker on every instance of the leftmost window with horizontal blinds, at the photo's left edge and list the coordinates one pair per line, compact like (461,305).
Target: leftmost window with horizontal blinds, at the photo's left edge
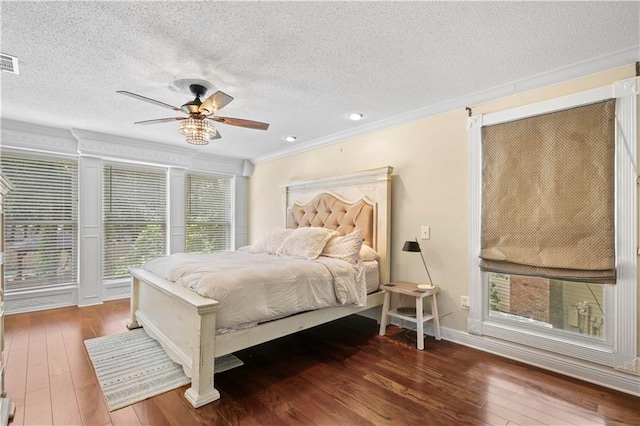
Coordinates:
(41,222)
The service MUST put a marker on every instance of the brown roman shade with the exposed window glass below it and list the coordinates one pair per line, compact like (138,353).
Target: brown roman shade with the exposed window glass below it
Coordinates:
(548,215)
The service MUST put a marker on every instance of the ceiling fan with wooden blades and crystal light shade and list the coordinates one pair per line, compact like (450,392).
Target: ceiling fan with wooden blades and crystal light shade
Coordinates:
(197,124)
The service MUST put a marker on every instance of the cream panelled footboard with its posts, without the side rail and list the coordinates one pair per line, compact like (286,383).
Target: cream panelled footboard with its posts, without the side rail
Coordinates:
(184,323)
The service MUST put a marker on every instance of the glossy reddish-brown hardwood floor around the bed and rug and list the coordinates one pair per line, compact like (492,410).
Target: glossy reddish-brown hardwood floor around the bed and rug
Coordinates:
(341,373)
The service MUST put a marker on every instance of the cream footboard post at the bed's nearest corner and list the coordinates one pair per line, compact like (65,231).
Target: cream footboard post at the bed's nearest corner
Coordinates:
(202,391)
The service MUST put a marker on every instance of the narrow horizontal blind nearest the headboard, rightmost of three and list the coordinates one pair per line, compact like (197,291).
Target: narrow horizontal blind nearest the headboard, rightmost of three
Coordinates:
(208,213)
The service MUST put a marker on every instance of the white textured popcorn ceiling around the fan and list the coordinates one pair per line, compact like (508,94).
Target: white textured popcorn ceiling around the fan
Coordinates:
(300,66)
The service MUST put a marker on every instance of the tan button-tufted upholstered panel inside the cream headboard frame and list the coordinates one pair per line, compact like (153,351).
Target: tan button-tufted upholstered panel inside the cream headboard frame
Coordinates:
(329,211)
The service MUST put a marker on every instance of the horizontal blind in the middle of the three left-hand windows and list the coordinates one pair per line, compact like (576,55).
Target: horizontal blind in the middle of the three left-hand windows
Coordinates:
(134,217)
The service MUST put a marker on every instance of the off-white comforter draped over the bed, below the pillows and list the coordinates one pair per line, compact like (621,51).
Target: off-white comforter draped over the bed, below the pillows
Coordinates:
(253,288)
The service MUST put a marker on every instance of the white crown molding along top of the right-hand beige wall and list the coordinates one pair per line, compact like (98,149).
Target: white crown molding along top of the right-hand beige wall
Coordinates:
(577,70)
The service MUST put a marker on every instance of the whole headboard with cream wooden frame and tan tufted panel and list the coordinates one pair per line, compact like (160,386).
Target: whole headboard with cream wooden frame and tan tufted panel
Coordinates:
(345,202)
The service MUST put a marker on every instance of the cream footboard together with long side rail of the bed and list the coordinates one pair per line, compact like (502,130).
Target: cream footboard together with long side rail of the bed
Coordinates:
(184,323)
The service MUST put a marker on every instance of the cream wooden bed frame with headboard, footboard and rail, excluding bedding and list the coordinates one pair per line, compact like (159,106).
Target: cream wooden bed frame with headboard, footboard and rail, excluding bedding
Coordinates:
(184,322)
